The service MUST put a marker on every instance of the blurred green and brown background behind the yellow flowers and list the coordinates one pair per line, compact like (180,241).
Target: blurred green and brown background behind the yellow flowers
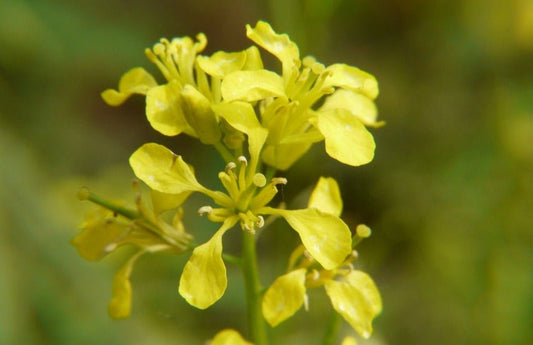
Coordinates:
(449,195)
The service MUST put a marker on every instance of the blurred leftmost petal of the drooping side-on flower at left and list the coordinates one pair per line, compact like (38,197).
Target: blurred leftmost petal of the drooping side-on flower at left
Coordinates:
(100,232)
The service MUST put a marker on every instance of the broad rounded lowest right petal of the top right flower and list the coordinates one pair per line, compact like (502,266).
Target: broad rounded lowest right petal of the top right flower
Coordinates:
(347,140)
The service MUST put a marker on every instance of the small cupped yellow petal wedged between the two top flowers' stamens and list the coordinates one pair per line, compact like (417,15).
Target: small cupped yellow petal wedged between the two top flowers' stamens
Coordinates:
(221,63)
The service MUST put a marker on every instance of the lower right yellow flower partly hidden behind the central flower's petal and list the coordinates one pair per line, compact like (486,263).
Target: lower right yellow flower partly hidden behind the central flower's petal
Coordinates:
(352,293)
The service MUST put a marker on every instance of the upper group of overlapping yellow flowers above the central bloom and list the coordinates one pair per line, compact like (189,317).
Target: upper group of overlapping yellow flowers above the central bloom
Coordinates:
(220,98)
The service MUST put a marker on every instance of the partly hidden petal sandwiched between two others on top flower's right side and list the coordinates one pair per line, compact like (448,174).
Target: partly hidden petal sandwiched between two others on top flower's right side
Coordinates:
(357,104)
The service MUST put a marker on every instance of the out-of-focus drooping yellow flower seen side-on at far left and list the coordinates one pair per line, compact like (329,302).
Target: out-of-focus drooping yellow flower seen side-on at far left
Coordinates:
(112,226)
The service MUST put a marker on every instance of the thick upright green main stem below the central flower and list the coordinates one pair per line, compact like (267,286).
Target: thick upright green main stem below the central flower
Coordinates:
(256,324)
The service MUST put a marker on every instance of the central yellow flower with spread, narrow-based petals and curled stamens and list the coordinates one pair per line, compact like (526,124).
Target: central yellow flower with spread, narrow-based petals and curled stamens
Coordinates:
(203,280)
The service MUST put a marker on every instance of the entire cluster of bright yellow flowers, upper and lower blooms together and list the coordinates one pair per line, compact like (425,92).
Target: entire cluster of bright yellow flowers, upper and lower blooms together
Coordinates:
(260,122)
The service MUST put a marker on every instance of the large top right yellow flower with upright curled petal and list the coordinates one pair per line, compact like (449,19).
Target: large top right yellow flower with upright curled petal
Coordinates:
(288,103)
